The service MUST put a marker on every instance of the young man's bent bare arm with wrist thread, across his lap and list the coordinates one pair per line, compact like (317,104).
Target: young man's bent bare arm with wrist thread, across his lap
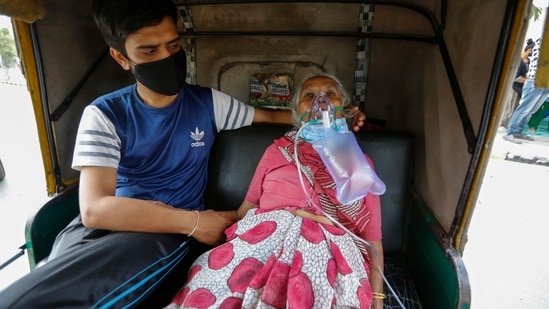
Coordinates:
(101,209)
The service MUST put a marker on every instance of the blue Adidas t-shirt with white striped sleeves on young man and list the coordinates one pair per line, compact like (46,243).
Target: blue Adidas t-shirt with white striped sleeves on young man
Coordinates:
(160,153)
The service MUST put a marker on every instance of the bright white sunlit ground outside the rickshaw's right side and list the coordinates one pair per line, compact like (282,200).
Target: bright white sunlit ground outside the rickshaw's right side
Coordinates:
(507,253)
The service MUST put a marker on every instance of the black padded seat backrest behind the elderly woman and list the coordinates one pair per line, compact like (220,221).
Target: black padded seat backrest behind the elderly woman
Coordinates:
(235,155)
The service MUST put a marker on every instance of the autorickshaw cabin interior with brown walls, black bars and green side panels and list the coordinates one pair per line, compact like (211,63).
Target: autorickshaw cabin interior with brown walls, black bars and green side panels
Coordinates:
(418,68)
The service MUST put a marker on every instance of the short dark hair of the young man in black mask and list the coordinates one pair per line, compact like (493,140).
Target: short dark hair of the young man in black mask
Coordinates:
(116,19)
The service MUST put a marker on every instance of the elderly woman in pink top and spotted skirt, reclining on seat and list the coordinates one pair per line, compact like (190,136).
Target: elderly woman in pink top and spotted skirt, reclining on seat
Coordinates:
(285,252)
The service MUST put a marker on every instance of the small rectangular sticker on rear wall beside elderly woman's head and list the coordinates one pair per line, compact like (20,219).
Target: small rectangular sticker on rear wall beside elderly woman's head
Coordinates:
(272,90)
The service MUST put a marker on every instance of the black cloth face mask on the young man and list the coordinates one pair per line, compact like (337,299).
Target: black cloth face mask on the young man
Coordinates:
(165,76)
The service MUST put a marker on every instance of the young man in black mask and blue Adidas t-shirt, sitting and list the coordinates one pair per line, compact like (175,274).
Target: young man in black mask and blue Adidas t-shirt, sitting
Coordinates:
(142,152)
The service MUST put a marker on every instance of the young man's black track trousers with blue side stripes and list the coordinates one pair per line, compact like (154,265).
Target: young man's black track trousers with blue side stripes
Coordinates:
(91,268)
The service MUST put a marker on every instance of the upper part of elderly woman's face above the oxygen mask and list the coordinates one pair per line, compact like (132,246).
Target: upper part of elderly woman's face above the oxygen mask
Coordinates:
(313,86)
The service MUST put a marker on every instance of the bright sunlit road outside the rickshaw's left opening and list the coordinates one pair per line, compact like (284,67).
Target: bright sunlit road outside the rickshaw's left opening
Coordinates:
(24,189)
